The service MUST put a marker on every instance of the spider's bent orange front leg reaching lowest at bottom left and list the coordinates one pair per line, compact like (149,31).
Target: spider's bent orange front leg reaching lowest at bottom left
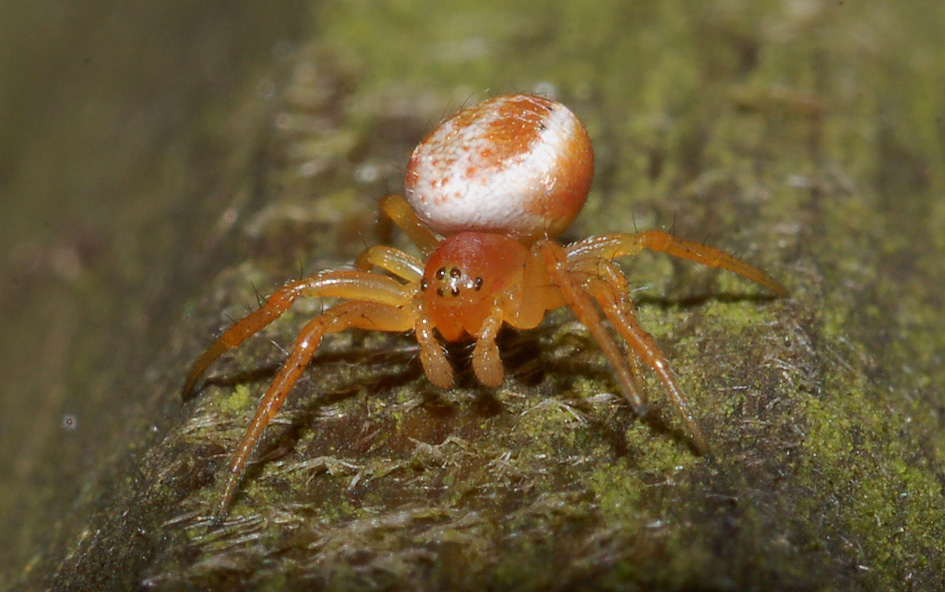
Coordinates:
(364,315)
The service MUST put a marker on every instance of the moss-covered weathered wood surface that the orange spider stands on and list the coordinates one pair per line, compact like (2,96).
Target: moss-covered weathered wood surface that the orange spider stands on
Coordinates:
(806,137)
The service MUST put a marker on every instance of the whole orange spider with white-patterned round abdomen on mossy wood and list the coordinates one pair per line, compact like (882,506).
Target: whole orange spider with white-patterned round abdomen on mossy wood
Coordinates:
(487,193)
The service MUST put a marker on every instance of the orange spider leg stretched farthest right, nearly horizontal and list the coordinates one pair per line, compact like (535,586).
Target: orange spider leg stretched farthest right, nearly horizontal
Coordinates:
(611,246)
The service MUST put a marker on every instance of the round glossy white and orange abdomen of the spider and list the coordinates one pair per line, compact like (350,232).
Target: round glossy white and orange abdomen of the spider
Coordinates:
(517,165)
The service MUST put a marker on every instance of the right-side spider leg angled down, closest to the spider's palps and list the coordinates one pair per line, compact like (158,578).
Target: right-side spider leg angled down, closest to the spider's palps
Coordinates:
(580,301)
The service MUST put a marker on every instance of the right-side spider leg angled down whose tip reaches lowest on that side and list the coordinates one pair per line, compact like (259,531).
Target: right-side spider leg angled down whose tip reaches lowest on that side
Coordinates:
(614,297)
